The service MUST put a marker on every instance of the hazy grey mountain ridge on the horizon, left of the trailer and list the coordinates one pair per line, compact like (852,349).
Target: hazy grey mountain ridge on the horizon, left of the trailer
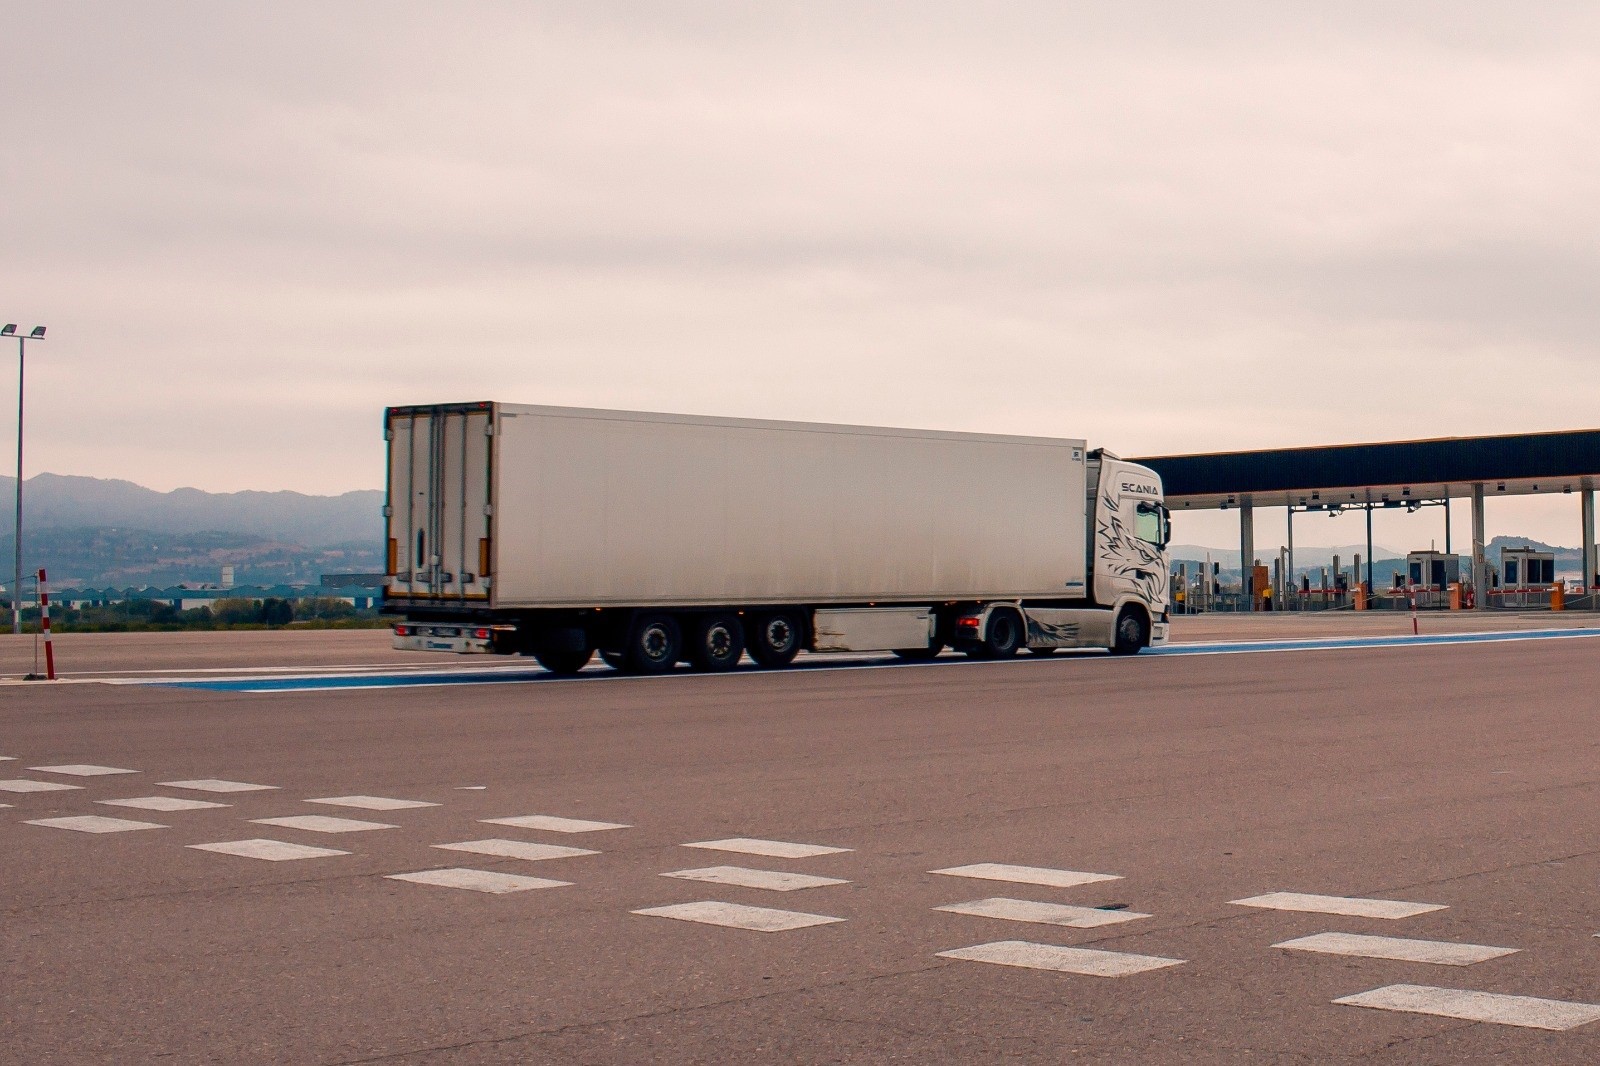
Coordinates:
(62,502)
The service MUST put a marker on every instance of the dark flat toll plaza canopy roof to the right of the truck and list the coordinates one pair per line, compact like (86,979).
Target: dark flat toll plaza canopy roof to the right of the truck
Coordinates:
(1375,473)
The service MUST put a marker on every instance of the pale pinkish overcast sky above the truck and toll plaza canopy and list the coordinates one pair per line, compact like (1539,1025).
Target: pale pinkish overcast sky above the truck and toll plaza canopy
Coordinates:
(1161,226)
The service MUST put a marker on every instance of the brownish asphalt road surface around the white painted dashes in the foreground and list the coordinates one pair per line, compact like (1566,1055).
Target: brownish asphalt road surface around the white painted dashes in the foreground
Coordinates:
(1465,777)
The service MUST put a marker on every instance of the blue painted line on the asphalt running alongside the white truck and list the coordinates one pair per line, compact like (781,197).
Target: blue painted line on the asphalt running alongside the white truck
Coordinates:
(518,678)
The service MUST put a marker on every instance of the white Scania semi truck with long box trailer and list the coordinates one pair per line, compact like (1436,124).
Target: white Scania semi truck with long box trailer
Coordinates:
(666,539)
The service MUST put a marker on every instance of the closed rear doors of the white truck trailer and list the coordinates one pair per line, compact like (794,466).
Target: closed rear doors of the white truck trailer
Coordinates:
(439,503)
